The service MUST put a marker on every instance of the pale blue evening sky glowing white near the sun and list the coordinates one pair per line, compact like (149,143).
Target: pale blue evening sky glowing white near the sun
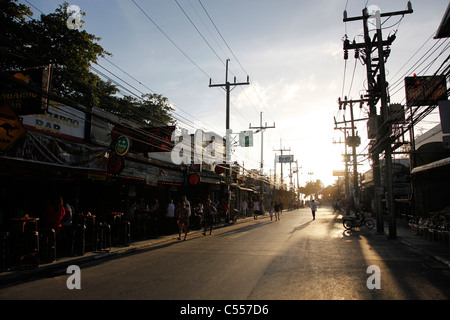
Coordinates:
(291,50)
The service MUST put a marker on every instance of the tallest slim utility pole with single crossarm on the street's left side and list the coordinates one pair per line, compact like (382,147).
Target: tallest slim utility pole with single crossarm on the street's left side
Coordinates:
(228,88)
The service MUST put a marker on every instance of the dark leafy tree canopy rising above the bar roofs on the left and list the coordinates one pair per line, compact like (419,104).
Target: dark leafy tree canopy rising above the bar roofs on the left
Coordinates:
(28,43)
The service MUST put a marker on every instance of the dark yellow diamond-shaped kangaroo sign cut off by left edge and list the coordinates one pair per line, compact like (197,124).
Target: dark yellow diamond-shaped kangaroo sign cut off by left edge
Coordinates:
(11,129)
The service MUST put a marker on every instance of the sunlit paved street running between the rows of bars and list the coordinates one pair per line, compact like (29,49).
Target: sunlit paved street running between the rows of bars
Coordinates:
(291,259)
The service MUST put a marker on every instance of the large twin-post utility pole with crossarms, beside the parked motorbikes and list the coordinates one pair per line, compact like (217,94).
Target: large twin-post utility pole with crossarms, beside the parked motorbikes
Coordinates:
(379,126)
